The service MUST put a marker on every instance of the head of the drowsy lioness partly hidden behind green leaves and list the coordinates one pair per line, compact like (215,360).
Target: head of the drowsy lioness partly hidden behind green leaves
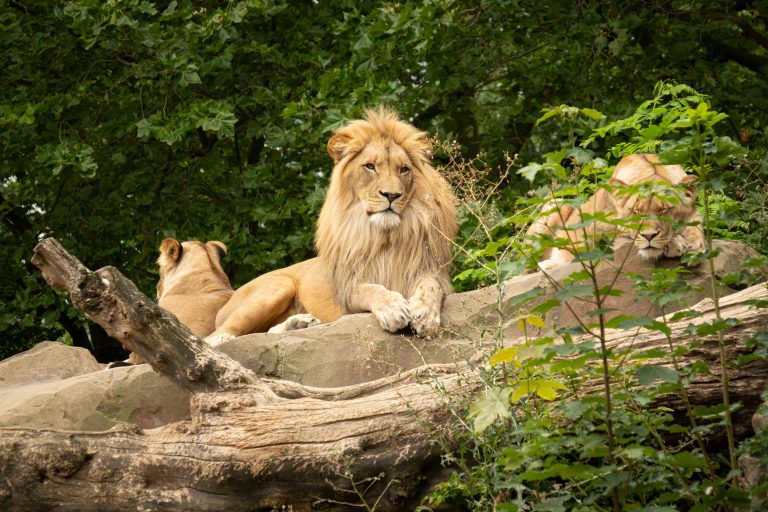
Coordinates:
(660,208)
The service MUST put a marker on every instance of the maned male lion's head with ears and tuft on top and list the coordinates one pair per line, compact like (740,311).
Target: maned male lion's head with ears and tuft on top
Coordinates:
(378,159)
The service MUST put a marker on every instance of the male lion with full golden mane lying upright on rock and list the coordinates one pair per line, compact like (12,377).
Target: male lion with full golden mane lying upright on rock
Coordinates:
(383,240)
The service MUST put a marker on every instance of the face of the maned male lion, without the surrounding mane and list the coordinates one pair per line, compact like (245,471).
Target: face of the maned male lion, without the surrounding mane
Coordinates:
(381,177)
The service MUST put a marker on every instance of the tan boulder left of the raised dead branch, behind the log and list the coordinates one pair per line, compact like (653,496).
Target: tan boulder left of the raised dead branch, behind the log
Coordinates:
(60,387)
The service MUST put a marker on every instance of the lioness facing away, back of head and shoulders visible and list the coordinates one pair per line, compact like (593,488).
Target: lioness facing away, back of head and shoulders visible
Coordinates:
(192,284)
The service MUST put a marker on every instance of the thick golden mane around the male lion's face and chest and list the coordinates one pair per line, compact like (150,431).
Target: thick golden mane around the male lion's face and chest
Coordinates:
(358,252)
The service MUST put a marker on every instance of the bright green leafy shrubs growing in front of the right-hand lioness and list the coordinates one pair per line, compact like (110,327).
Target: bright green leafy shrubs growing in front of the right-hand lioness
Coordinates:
(540,437)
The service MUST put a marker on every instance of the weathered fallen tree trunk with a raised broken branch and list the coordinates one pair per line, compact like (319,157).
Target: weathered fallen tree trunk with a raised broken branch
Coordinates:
(258,444)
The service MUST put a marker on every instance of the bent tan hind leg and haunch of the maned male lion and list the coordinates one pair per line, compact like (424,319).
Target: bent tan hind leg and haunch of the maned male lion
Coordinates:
(255,307)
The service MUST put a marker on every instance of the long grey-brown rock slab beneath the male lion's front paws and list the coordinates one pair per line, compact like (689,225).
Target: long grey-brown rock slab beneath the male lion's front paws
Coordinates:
(354,349)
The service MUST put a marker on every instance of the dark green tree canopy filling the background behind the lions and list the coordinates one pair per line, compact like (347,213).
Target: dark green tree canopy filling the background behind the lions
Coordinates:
(124,122)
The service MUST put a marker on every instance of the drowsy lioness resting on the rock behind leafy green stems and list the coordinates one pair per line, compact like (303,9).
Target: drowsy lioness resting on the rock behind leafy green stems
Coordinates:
(654,234)
